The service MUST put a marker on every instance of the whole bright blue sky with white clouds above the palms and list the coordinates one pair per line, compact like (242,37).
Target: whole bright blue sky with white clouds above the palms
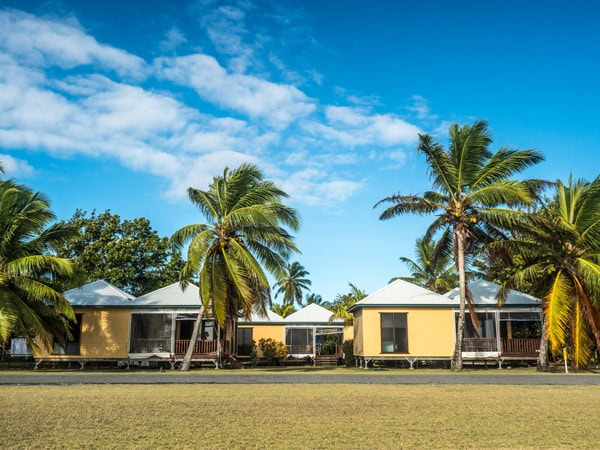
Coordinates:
(123,105)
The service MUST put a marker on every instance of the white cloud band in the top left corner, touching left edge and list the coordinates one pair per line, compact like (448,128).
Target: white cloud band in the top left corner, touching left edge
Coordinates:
(45,43)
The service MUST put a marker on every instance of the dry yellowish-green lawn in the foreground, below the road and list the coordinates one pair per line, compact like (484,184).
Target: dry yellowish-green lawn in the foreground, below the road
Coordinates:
(299,416)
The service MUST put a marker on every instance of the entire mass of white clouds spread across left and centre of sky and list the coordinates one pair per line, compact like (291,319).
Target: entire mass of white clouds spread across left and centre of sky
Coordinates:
(110,103)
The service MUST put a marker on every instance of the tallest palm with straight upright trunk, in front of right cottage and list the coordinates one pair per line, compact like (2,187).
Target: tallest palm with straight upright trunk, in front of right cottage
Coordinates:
(472,195)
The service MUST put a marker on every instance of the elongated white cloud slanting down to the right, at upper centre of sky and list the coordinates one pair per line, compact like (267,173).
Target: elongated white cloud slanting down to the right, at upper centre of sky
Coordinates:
(277,104)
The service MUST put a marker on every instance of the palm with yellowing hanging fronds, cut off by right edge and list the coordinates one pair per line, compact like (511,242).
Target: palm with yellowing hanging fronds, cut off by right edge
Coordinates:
(560,247)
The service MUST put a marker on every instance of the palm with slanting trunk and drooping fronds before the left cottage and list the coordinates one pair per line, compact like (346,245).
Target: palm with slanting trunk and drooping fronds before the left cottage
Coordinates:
(243,236)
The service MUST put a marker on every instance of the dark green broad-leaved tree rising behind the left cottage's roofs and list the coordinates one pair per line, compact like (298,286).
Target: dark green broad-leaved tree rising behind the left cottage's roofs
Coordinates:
(126,253)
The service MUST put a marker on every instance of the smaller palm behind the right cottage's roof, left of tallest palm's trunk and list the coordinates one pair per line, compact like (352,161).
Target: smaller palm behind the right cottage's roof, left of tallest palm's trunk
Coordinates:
(433,268)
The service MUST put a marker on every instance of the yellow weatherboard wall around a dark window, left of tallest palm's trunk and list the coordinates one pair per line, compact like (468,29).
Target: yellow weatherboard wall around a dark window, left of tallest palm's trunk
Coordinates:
(430,332)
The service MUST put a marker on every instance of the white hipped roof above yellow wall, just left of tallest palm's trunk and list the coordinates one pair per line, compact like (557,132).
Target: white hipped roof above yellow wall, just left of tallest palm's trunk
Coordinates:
(403,293)
